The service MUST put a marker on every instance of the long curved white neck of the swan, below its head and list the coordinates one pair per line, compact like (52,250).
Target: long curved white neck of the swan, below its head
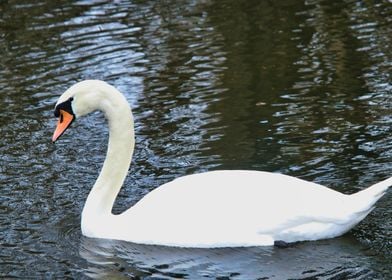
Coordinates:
(118,158)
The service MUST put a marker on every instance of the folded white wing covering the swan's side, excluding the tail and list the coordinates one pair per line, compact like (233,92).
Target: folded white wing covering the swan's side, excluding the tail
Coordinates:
(232,205)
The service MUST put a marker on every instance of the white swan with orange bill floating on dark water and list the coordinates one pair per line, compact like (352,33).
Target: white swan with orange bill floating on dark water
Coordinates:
(212,209)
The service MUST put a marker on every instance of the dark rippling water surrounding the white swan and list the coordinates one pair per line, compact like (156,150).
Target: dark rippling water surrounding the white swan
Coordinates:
(302,88)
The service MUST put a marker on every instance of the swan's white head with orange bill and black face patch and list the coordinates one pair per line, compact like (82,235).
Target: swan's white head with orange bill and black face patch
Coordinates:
(79,100)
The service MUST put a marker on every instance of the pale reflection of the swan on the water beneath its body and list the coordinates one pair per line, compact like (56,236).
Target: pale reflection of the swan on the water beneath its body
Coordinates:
(332,258)
